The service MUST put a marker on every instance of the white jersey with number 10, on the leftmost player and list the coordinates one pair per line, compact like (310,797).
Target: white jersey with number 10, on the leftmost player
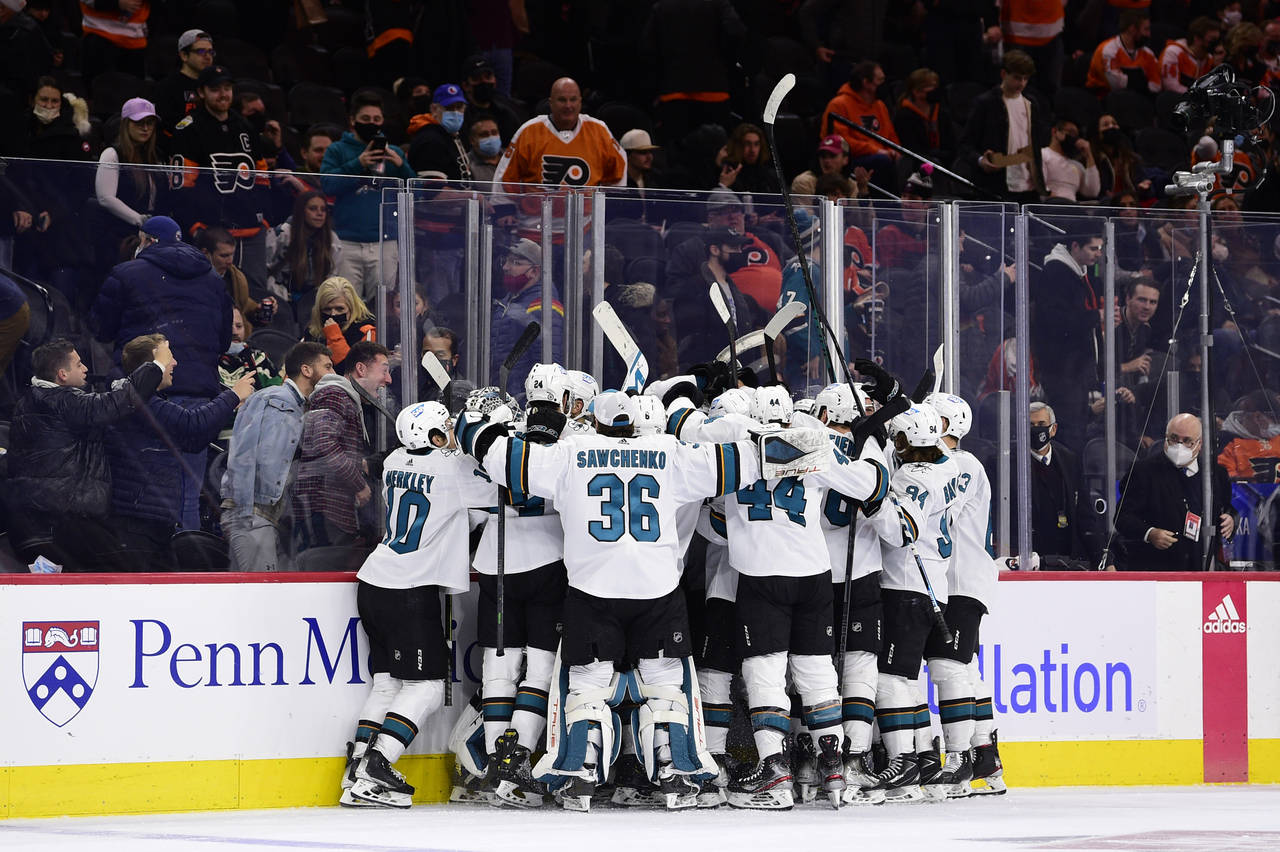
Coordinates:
(426,532)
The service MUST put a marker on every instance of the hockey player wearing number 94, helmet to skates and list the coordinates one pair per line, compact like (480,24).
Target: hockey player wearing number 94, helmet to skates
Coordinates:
(924,492)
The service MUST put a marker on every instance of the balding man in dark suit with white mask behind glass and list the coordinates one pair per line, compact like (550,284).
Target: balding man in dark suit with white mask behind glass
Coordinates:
(1163,516)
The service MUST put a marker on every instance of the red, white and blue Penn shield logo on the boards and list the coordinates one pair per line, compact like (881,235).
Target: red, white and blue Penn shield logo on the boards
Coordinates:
(60,667)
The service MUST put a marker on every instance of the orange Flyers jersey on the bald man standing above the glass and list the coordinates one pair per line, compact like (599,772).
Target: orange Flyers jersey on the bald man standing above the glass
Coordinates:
(586,157)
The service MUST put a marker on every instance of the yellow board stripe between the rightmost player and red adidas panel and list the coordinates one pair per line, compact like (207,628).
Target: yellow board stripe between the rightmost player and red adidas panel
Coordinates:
(1103,763)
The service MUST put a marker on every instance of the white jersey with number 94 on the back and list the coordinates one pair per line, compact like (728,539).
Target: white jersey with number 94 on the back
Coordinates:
(926,493)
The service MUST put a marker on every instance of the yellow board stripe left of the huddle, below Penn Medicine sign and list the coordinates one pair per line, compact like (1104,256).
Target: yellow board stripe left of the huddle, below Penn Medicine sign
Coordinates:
(198,786)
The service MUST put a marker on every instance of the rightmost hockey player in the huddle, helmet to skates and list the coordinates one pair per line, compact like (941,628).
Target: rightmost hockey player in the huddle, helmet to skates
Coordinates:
(972,587)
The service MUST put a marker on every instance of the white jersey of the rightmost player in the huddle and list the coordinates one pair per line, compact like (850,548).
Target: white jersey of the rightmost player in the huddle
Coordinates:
(973,574)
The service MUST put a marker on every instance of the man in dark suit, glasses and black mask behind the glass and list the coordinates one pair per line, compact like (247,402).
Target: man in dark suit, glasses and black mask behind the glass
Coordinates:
(1059,523)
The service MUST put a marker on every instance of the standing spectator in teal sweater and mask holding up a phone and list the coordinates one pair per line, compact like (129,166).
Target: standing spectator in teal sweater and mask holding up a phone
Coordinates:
(358,217)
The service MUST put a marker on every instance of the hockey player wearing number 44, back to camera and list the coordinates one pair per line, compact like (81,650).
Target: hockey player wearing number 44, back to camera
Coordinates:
(784,606)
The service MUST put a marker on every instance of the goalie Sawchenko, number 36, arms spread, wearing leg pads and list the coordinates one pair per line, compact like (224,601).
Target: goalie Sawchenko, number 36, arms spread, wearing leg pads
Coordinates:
(619,498)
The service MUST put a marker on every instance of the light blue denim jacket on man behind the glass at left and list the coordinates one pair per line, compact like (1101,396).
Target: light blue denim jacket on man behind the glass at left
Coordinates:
(263,445)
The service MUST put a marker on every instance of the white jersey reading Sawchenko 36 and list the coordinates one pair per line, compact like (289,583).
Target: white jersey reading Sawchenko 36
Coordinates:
(619,502)
